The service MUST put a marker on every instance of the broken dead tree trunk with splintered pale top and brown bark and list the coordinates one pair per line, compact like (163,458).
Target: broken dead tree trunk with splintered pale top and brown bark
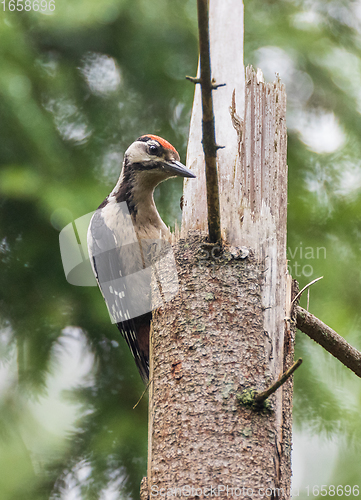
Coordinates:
(226,333)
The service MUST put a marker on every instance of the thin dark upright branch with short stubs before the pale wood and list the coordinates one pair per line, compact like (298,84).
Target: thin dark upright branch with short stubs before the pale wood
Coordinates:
(208,131)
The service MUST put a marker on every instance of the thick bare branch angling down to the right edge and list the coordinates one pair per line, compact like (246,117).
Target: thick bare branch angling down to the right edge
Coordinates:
(329,339)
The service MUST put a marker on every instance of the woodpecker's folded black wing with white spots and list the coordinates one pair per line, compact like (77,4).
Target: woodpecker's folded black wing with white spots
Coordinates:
(118,265)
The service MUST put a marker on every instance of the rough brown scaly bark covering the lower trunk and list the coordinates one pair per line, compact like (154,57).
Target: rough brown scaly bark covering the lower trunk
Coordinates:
(209,345)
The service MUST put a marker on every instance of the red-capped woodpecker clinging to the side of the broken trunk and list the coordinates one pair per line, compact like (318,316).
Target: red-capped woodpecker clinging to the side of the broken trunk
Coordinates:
(123,240)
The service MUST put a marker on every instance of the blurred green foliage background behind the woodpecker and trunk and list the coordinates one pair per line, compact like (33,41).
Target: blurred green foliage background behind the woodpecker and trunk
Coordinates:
(76,88)
